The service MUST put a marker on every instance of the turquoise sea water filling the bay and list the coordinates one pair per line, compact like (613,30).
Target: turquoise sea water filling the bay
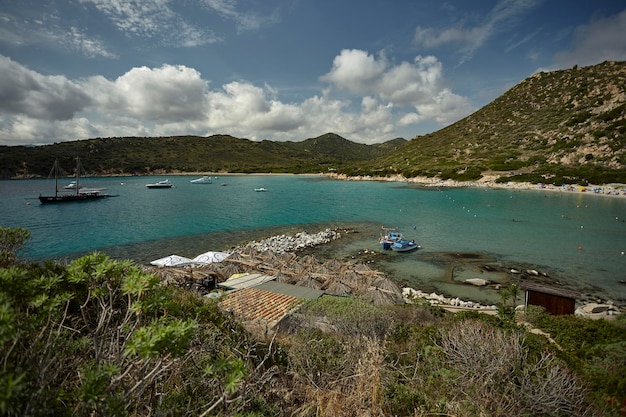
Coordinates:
(577,239)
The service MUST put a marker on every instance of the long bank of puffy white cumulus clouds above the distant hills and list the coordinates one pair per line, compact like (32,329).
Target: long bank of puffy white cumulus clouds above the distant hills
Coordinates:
(175,100)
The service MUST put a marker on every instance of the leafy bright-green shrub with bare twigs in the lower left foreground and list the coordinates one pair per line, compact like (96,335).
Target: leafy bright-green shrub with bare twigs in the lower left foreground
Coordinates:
(104,338)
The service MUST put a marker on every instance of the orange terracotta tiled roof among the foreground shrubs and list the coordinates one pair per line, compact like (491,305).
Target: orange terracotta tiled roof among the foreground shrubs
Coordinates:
(253,303)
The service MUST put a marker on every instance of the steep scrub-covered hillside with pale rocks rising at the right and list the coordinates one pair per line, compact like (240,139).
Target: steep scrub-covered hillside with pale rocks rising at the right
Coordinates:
(569,123)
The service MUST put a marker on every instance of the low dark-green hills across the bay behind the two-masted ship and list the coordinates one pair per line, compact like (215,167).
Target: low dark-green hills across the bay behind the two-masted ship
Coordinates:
(218,153)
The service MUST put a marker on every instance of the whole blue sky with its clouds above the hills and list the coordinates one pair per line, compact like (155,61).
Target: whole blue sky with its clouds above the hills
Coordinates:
(281,70)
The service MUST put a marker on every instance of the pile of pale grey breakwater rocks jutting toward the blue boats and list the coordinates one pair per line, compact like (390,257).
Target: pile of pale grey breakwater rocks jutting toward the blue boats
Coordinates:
(283,243)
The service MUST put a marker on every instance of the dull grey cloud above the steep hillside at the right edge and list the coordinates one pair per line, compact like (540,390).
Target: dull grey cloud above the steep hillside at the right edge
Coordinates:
(601,40)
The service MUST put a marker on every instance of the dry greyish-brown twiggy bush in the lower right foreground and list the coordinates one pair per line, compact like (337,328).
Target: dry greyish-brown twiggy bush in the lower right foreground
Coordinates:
(497,376)
